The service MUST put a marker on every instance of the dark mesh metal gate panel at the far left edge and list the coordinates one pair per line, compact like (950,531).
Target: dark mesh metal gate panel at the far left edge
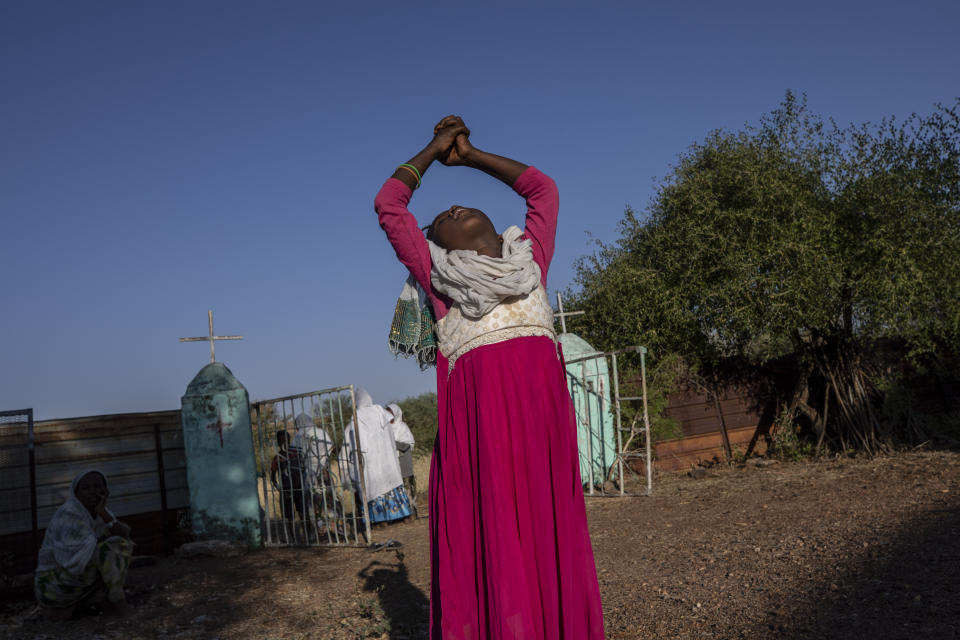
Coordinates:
(18,490)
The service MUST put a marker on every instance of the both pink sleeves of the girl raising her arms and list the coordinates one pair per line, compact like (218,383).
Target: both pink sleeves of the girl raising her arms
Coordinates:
(540,226)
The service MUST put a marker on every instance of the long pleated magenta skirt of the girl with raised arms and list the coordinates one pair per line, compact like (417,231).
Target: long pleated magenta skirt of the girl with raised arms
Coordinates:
(509,546)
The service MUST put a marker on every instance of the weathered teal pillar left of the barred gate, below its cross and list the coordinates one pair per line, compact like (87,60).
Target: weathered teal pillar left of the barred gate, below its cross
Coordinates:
(221,471)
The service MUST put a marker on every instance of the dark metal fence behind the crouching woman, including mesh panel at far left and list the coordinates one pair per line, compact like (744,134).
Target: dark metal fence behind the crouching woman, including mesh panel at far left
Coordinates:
(141,454)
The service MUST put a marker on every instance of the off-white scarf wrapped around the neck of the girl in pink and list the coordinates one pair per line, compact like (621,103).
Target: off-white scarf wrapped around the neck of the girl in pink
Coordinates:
(478,283)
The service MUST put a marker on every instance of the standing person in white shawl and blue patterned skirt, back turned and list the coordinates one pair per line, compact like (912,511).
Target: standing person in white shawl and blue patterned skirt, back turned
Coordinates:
(386,499)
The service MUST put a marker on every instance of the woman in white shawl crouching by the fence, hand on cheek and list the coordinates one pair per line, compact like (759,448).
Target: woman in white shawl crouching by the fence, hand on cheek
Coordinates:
(85,552)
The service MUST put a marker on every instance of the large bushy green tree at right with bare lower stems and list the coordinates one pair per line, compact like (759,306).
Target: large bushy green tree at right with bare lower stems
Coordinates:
(794,236)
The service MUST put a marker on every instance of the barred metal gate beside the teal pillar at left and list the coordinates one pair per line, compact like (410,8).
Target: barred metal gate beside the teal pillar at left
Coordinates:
(310,469)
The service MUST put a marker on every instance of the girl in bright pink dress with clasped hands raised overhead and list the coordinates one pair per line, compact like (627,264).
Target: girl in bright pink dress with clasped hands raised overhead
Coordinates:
(509,546)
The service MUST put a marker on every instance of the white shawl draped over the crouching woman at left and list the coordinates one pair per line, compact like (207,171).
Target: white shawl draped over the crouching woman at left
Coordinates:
(72,533)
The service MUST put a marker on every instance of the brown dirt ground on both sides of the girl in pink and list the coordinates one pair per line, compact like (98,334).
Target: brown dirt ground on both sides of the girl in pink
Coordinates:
(845,548)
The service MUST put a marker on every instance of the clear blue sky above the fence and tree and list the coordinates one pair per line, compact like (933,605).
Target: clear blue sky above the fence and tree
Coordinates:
(159,159)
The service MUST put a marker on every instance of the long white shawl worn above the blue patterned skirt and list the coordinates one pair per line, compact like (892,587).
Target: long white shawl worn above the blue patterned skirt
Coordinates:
(381,469)
